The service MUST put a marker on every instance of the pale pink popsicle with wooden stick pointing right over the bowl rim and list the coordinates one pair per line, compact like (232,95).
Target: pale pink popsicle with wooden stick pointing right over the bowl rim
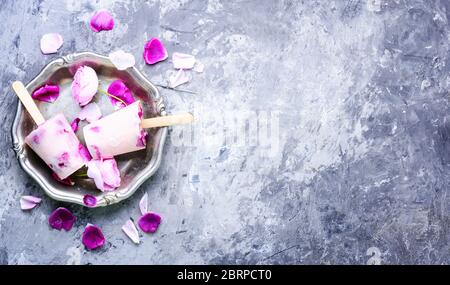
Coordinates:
(123,131)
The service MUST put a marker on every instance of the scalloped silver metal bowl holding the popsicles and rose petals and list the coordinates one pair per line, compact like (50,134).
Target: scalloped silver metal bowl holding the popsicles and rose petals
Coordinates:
(134,167)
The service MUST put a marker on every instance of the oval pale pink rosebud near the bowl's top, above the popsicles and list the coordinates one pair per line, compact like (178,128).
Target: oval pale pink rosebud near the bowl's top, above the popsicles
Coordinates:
(84,85)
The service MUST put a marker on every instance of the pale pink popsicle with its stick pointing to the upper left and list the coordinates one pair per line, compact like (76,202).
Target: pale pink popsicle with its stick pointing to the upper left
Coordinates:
(54,140)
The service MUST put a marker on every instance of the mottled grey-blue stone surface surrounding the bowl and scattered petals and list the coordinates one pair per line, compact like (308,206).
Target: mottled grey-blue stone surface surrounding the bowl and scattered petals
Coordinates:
(361,173)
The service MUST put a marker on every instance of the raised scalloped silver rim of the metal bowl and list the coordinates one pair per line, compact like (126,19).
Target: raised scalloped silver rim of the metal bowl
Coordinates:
(75,197)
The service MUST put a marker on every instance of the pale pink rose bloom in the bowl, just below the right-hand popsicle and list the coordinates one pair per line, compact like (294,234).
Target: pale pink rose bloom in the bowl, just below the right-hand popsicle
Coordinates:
(105,173)
